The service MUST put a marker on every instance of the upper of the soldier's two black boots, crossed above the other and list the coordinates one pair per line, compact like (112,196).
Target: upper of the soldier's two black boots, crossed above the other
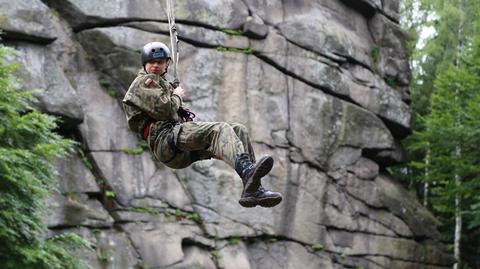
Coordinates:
(252,173)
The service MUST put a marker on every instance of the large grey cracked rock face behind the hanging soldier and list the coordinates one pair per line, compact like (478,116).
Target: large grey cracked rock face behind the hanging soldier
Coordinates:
(321,85)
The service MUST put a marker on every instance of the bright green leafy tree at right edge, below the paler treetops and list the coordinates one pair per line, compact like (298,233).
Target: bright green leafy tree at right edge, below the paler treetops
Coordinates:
(452,127)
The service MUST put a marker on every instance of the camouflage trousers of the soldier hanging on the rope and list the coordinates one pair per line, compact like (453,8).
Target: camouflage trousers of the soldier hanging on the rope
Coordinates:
(203,140)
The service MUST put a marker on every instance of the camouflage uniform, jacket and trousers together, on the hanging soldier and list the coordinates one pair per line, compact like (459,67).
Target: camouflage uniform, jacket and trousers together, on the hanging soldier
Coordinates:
(150,99)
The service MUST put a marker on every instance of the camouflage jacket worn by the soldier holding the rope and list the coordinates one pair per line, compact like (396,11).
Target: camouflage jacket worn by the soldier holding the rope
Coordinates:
(150,98)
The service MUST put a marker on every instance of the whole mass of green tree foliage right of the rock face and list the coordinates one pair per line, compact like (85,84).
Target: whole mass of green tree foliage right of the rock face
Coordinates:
(446,106)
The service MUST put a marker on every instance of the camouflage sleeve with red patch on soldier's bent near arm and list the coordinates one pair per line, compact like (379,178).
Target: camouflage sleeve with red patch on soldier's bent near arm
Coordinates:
(154,99)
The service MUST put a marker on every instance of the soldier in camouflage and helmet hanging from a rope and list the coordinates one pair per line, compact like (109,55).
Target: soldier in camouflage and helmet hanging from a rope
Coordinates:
(154,110)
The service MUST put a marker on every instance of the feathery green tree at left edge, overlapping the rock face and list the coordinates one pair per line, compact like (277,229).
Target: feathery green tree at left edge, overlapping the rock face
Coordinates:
(28,145)
